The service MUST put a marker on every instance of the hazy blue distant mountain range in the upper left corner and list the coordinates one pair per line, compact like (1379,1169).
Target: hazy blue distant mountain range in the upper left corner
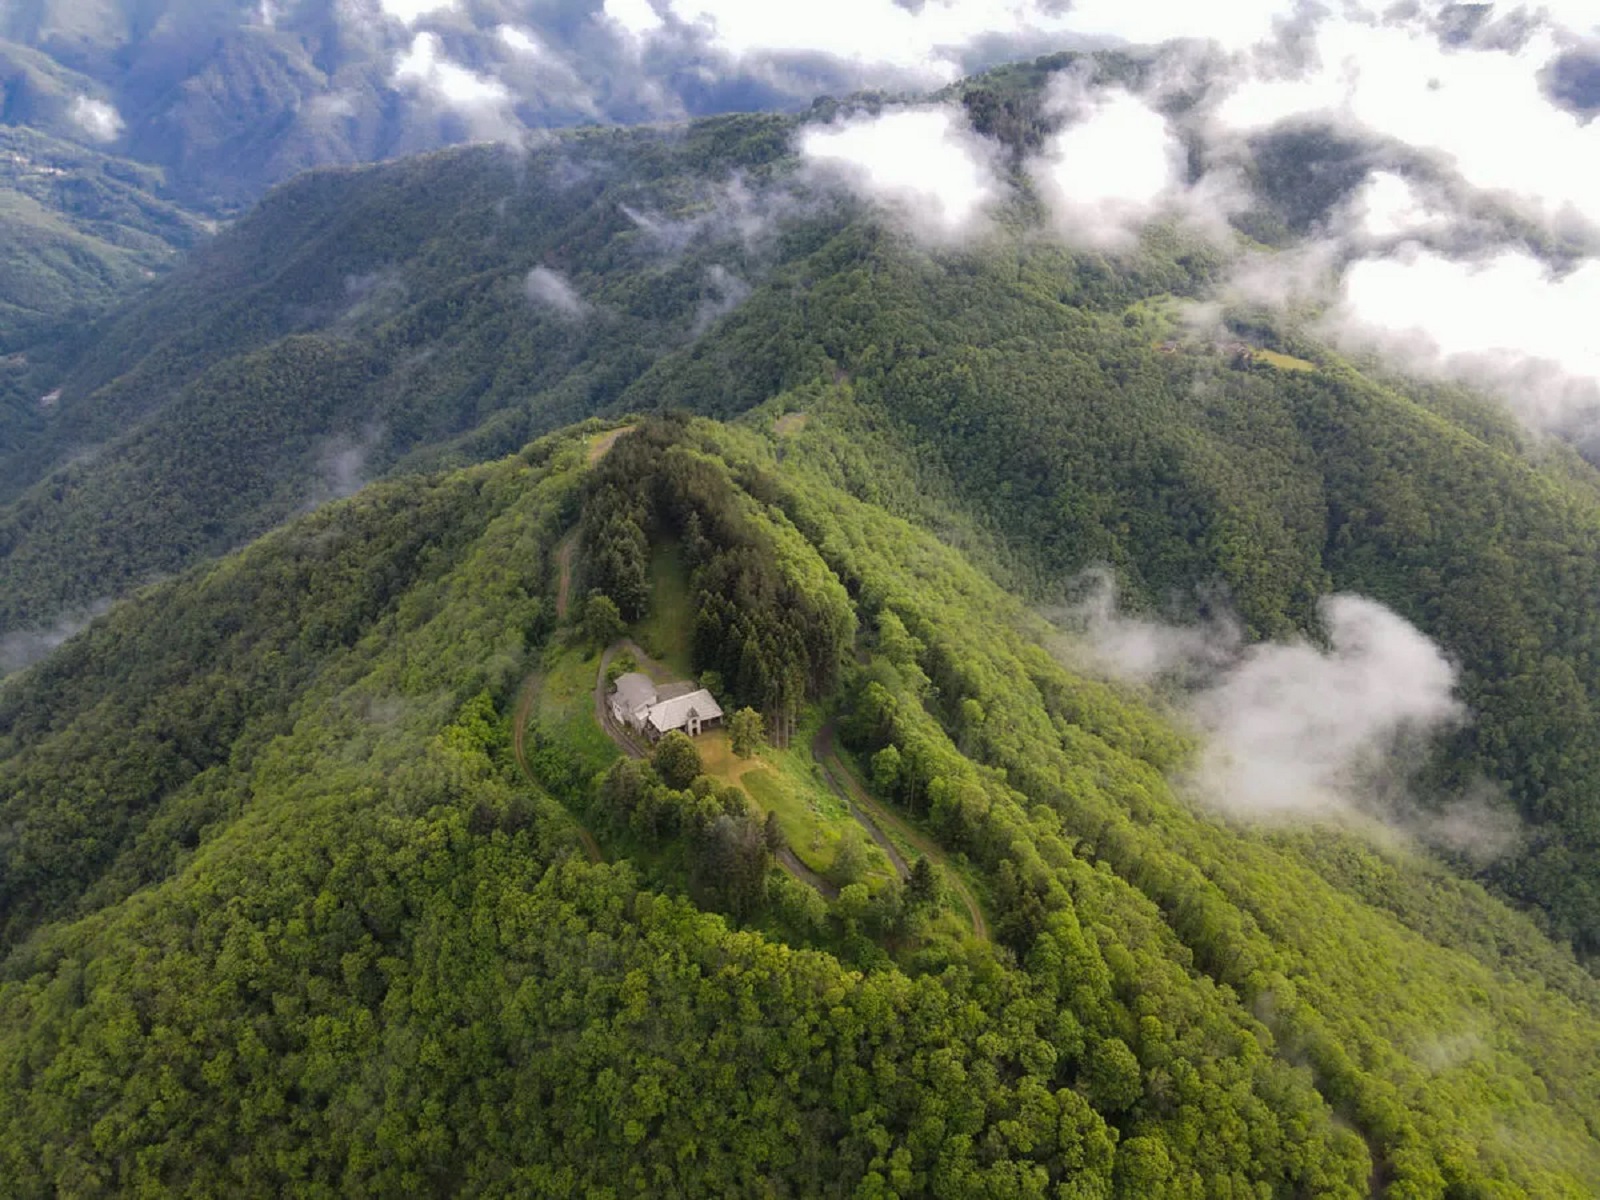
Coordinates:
(126,130)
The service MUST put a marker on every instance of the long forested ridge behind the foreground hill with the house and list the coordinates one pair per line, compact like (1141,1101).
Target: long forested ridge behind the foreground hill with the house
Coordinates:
(447,310)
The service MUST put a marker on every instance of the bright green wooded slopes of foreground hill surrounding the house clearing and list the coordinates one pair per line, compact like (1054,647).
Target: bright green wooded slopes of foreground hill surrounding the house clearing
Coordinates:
(330,914)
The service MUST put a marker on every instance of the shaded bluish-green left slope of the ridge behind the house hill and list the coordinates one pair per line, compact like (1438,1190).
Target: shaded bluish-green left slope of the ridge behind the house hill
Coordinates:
(418,274)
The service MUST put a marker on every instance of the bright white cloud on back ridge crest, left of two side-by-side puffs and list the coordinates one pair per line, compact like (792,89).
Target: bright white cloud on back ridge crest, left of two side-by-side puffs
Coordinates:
(926,166)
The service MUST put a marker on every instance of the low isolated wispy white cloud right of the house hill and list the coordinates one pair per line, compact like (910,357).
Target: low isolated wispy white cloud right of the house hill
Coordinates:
(1295,730)
